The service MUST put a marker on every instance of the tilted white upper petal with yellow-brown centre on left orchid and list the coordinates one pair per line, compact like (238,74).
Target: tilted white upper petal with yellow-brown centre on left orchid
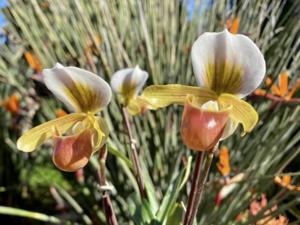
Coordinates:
(80,90)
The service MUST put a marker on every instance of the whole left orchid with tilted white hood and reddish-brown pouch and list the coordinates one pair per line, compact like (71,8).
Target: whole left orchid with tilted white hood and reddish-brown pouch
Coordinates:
(85,94)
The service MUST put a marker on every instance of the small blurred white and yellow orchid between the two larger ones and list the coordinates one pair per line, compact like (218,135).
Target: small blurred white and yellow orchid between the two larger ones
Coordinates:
(127,83)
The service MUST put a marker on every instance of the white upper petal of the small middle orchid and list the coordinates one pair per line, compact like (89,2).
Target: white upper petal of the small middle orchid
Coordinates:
(128,82)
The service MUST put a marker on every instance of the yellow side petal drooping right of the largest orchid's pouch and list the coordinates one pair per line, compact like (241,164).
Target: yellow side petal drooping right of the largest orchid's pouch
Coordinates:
(242,111)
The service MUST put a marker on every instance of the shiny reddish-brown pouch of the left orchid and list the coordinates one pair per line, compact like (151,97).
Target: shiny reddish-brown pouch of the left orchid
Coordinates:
(72,152)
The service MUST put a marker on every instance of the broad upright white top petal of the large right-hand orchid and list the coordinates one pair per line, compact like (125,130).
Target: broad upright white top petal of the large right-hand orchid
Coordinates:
(227,63)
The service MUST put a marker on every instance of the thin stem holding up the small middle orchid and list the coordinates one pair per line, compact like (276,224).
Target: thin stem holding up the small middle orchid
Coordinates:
(134,154)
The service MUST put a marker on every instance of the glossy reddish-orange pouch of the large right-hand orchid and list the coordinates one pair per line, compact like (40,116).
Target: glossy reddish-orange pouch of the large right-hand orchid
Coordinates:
(201,129)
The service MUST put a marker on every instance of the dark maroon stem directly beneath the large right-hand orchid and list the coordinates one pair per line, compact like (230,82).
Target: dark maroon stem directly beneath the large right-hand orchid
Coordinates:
(196,192)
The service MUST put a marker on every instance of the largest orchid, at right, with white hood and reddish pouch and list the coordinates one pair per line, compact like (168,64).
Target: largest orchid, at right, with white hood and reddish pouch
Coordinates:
(227,68)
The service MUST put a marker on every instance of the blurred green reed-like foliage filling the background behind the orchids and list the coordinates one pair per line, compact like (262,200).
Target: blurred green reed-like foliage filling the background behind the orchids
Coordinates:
(157,36)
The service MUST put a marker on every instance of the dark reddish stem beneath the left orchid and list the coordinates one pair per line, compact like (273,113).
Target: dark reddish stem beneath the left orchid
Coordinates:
(111,218)
